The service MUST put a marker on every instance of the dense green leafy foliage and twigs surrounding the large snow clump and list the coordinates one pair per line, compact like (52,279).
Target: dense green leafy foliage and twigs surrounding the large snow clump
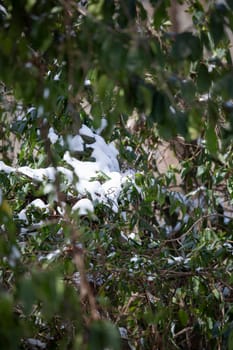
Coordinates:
(162,277)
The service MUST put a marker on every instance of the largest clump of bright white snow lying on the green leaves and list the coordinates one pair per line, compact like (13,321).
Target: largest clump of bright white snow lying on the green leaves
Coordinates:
(100,179)
